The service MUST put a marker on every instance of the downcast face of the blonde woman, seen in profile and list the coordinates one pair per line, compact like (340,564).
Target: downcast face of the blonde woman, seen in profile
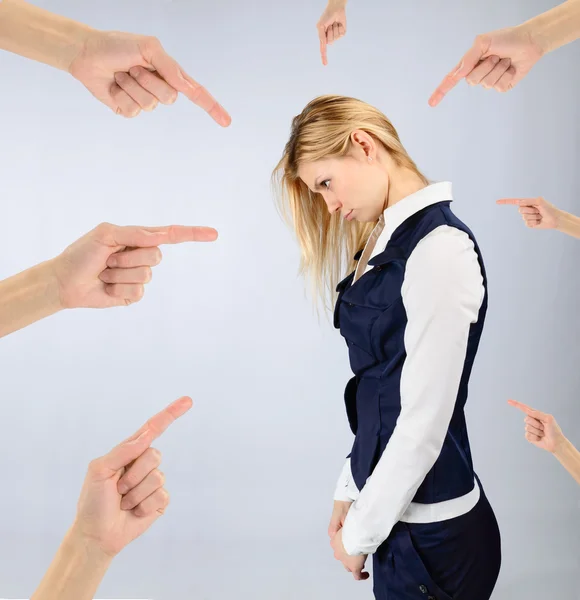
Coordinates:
(352,185)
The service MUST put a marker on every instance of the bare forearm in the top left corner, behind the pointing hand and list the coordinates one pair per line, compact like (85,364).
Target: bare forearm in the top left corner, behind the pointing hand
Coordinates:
(40,35)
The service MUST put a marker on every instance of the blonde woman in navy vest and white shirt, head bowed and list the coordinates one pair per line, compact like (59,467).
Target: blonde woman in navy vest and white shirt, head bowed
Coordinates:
(412,313)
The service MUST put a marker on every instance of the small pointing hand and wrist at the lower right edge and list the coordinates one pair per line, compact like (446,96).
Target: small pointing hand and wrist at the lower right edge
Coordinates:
(543,431)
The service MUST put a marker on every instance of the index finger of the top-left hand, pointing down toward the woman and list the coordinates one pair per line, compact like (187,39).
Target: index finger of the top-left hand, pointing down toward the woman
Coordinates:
(170,70)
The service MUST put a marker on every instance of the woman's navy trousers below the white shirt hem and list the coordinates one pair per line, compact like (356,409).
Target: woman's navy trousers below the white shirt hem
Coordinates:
(457,559)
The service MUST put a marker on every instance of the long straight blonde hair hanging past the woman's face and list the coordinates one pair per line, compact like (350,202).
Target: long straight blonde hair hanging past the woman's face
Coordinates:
(323,130)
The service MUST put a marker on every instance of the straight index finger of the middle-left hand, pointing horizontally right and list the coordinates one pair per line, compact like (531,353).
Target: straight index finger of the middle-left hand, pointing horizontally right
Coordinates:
(147,237)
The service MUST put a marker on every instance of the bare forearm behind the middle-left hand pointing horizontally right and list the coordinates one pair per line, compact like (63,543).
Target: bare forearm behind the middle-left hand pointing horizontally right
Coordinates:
(28,297)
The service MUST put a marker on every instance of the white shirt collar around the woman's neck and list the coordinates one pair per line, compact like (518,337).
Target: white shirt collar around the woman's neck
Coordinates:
(404,209)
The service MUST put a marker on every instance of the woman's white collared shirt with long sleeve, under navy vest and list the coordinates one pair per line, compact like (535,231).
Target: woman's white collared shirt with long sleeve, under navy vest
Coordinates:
(442,293)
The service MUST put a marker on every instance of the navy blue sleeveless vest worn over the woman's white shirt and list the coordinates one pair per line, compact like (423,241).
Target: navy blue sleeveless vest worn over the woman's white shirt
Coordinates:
(371,317)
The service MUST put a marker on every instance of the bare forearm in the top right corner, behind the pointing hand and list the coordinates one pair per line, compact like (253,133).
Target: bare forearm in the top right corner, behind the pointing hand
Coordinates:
(556,27)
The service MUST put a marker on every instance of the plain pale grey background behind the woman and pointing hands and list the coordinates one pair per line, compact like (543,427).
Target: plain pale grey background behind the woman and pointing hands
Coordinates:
(252,467)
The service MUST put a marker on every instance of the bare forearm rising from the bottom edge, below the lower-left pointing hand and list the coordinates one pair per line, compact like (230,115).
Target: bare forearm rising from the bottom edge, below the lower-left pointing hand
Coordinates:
(75,573)
